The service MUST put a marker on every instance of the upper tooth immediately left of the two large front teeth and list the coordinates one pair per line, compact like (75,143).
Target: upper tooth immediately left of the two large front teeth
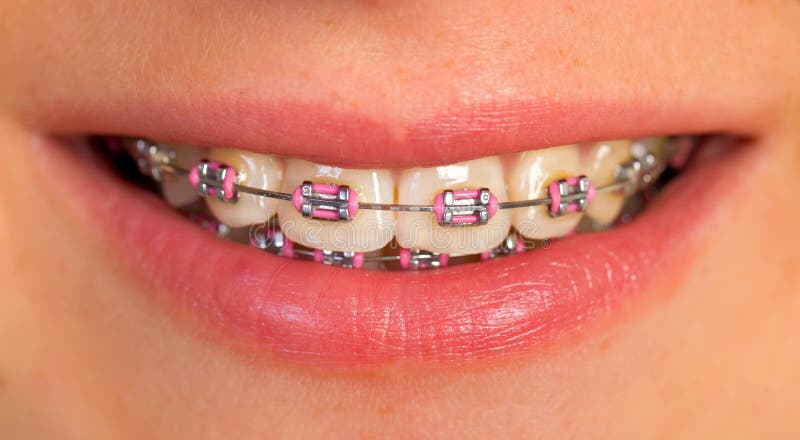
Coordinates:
(254,170)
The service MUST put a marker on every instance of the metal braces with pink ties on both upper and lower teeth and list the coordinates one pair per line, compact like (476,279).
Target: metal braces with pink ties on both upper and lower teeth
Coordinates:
(339,203)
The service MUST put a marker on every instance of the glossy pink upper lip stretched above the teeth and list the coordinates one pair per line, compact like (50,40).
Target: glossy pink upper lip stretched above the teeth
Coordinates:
(317,132)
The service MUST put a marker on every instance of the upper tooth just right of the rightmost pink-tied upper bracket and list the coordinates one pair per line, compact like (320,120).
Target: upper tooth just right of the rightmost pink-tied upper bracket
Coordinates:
(600,165)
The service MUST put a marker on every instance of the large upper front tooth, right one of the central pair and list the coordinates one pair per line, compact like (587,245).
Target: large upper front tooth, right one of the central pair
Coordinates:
(419,186)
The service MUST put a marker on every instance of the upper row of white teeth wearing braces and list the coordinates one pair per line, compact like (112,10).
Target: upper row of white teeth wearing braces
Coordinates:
(448,229)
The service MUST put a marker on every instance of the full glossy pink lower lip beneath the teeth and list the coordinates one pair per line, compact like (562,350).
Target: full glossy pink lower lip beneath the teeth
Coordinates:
(333,317)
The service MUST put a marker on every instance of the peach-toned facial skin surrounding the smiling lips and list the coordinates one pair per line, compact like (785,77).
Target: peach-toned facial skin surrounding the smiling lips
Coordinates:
(712,352)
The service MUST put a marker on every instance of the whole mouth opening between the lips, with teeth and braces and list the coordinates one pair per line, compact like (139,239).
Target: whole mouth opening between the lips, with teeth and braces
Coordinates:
(410,219)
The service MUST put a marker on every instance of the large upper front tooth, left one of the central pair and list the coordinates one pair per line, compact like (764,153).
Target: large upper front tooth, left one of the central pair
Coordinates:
(368,231)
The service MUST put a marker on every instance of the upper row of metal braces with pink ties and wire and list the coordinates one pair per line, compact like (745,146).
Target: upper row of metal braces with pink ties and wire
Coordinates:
(451,207)
